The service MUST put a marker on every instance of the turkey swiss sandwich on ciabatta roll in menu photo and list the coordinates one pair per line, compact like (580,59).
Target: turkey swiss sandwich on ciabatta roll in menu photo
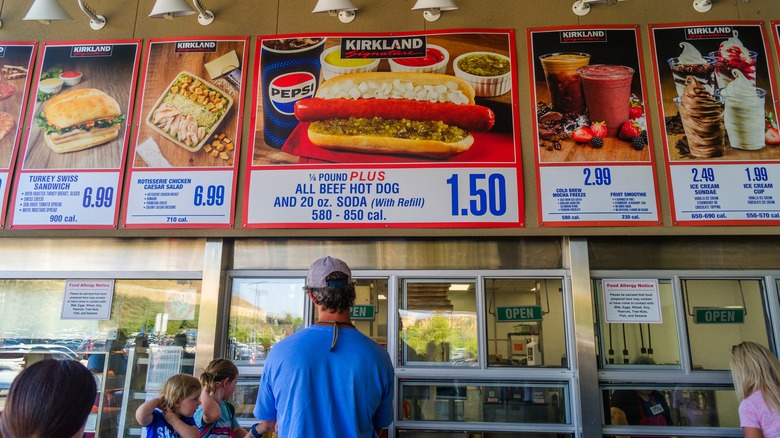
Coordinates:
(79,119)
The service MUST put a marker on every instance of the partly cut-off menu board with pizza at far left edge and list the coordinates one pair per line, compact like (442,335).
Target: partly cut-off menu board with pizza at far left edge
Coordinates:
(16,60)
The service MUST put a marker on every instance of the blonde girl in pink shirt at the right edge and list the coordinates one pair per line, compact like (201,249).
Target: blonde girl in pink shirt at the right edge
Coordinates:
(756,374)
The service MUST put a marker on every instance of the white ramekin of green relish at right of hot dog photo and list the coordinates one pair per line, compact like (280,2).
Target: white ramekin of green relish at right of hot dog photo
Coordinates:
(473,68)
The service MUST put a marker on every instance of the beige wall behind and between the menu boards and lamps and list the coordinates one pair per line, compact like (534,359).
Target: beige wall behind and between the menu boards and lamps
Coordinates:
(129,19)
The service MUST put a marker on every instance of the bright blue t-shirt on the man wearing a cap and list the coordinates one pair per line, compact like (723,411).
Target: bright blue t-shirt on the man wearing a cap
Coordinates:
(312,391)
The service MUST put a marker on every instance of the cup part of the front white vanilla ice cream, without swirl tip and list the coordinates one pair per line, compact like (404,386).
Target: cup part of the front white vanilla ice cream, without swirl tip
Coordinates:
(744,120)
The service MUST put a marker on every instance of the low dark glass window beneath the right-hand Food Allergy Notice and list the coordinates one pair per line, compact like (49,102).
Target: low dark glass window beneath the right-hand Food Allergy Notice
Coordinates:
(679,405)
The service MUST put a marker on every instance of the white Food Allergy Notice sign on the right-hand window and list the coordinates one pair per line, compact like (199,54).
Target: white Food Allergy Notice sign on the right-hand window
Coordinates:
(631,301)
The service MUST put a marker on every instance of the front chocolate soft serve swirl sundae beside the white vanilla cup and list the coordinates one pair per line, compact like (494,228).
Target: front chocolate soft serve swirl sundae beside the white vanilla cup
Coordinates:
(702,117)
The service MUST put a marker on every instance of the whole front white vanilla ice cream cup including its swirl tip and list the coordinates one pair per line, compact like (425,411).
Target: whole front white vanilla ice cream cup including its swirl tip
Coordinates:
(744,113)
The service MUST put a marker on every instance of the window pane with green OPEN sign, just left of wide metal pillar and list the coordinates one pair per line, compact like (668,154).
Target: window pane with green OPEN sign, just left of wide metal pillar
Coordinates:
(525,322)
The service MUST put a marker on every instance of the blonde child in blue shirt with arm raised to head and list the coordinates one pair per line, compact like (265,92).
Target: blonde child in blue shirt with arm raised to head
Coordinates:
(170,415)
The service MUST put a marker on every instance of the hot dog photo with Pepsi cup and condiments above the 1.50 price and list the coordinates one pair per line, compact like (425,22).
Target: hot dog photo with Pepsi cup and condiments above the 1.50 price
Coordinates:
(352,99)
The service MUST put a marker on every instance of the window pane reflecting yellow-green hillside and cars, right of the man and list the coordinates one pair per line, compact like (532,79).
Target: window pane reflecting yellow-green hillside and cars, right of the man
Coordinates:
(438,323)
